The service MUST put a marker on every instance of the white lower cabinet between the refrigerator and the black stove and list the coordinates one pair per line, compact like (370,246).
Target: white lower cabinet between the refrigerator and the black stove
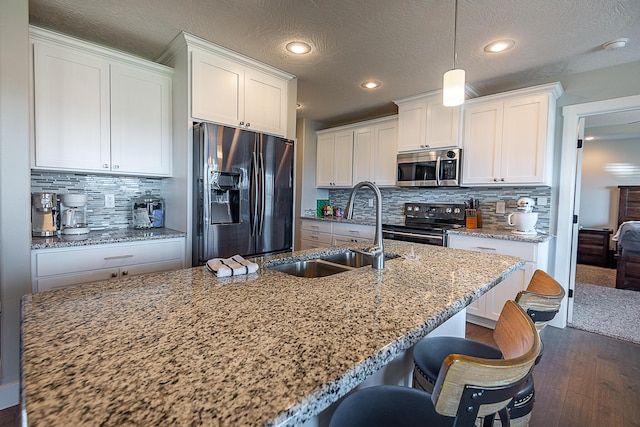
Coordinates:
(320,234)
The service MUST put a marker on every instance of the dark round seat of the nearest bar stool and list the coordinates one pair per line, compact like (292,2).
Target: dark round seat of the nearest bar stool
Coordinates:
(388,405)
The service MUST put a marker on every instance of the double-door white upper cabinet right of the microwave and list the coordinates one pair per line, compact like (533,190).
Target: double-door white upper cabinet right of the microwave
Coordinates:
(508,138)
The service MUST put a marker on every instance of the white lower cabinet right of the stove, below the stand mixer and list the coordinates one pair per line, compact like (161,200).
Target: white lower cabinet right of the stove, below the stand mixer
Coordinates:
(486,309)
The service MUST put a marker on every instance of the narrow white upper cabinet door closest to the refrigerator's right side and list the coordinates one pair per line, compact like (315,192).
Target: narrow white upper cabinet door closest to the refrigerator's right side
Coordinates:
(334,159)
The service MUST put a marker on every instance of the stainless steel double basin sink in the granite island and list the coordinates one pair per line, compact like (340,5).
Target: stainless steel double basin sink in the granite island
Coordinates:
(328,264)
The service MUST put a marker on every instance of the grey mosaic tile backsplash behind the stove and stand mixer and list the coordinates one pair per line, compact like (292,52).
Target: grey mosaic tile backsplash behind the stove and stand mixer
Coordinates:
(395,198)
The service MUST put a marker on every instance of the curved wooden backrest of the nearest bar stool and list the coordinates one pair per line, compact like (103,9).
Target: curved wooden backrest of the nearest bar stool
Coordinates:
(461,376)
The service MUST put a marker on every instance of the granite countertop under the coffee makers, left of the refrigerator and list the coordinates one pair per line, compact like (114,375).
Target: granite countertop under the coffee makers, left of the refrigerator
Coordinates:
(98,237)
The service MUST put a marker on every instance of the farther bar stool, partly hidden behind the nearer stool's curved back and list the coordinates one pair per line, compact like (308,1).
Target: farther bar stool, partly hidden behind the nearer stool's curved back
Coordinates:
(541,301)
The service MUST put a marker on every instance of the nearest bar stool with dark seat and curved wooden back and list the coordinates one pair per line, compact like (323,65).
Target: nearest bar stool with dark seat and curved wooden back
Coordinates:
(466,388)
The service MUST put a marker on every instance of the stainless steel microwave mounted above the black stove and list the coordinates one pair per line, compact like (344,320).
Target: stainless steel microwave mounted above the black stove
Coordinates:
(437,168)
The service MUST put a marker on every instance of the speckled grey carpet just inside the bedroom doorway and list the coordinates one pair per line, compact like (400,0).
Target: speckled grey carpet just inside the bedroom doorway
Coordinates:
(607,311)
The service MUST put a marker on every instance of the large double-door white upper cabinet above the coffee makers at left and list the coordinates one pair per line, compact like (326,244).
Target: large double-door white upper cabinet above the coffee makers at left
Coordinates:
(97,110)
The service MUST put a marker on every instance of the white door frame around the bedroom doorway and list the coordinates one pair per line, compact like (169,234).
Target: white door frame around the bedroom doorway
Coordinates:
(564,268)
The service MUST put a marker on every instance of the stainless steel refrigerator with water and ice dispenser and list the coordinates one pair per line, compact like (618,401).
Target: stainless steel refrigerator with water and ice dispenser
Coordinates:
(243,193)
